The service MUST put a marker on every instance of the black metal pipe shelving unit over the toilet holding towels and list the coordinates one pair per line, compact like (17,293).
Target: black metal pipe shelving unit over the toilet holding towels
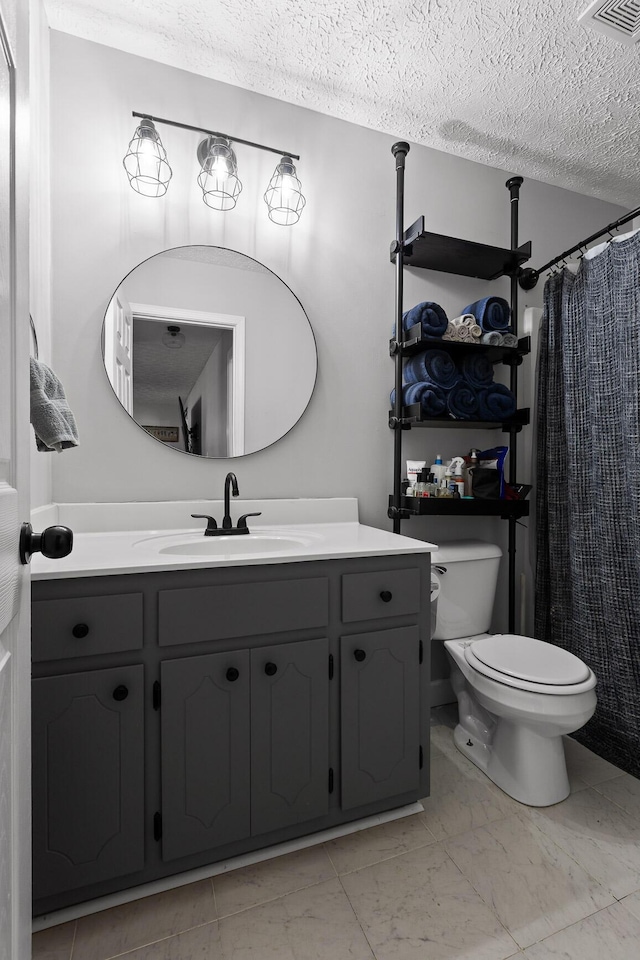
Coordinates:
(416,247)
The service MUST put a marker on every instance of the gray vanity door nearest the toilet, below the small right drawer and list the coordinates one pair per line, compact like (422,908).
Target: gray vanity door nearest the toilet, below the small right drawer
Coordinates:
(380,709)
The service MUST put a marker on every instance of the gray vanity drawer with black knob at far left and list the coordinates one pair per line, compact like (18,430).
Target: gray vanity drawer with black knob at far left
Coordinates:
(83,626)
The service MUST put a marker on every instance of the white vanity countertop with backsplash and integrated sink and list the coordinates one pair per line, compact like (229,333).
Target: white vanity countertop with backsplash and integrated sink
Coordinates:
(100,552)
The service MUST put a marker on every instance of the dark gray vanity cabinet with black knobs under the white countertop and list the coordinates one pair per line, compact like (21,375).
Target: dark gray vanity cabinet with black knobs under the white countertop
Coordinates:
(280,700)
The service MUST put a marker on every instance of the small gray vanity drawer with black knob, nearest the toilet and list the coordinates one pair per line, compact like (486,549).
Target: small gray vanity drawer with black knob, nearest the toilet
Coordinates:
(389,593)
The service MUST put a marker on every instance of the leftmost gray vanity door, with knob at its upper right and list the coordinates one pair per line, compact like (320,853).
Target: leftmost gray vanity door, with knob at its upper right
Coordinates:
(88,786)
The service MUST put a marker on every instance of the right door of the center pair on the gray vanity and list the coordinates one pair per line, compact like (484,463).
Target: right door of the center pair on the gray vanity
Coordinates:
(289,734)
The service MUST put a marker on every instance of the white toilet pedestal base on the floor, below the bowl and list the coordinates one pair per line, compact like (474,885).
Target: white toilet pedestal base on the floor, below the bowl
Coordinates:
(528,767)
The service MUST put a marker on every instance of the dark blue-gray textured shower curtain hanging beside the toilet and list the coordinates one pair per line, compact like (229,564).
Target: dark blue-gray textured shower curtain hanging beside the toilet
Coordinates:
(588,487)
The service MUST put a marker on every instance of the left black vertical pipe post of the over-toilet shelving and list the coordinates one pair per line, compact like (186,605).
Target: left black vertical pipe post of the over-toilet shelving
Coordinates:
(399,151)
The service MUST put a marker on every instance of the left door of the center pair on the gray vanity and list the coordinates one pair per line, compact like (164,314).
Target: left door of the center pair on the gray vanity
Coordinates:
(205,752)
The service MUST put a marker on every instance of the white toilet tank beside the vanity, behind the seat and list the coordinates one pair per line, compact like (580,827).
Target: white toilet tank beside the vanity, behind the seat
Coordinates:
(464,574)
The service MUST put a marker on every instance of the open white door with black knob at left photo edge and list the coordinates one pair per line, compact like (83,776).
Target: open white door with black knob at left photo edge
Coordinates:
(15,802)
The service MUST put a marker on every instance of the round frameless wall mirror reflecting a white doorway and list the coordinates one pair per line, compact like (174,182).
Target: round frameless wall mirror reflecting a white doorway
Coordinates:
(209,351)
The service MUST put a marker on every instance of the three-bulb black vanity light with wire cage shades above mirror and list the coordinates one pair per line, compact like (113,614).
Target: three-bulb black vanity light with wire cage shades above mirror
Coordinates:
(218,177)
